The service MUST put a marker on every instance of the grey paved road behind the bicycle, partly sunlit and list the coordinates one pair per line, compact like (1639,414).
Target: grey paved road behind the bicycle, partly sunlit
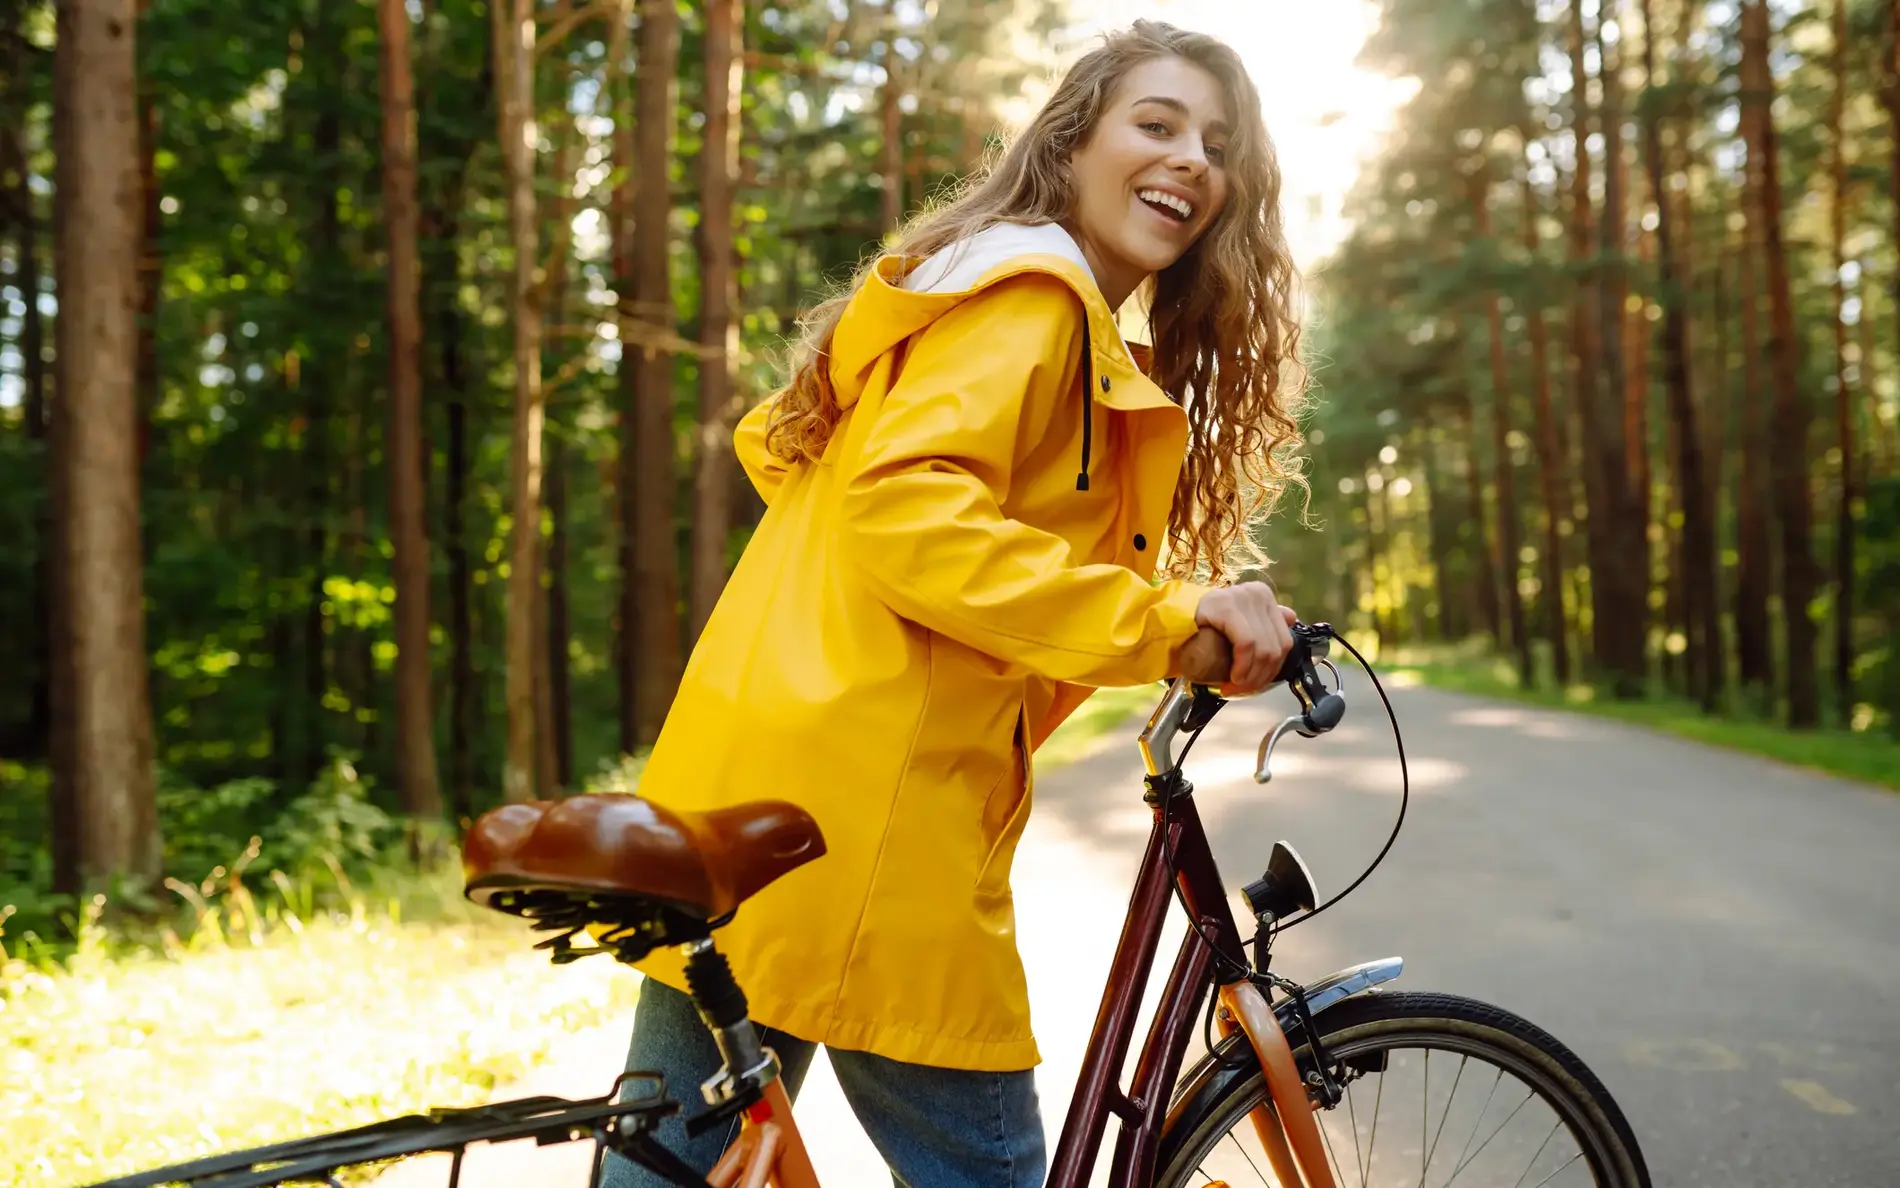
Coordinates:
(1715,934)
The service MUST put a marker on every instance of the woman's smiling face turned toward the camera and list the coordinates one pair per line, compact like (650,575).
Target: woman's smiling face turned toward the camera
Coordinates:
(1152,176)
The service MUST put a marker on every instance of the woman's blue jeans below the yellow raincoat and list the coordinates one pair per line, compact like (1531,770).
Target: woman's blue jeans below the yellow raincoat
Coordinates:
(936,1128)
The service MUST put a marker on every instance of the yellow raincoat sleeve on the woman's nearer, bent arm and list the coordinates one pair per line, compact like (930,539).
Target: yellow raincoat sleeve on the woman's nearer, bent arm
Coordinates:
(922,510)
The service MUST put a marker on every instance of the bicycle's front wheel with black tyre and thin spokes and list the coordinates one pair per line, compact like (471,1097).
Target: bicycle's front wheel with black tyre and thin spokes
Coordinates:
(1479,1098)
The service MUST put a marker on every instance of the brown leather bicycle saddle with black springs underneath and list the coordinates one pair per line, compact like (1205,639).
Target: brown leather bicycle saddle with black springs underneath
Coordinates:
(651,873)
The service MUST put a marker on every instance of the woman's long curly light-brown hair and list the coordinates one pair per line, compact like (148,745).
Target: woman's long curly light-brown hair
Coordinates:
(1223,320)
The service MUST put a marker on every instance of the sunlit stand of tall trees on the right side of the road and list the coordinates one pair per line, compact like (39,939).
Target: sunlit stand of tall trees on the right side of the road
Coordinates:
(1610,356)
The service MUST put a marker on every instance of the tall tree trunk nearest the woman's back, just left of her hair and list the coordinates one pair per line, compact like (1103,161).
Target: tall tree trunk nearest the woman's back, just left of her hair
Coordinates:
(719,299)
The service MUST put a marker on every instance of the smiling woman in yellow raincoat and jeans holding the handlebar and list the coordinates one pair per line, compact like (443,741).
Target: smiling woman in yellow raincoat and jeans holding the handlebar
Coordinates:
(970,482)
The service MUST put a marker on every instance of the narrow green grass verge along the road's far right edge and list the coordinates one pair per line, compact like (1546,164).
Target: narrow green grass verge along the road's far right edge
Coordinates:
(1865,756)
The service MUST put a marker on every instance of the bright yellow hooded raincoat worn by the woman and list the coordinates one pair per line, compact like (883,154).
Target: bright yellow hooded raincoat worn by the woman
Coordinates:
(913,609)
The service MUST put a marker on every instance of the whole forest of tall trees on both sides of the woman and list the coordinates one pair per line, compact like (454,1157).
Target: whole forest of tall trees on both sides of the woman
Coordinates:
(368,375)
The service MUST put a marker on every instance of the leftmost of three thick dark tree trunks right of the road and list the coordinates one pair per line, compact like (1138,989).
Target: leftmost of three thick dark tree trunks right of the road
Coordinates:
(1622,588)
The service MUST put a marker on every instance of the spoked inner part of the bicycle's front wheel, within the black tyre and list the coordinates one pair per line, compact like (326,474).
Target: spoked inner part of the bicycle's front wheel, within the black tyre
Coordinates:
(1449,1111)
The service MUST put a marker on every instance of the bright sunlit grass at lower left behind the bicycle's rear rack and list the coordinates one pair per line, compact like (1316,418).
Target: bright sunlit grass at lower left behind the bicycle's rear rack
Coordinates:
(271,1025)
